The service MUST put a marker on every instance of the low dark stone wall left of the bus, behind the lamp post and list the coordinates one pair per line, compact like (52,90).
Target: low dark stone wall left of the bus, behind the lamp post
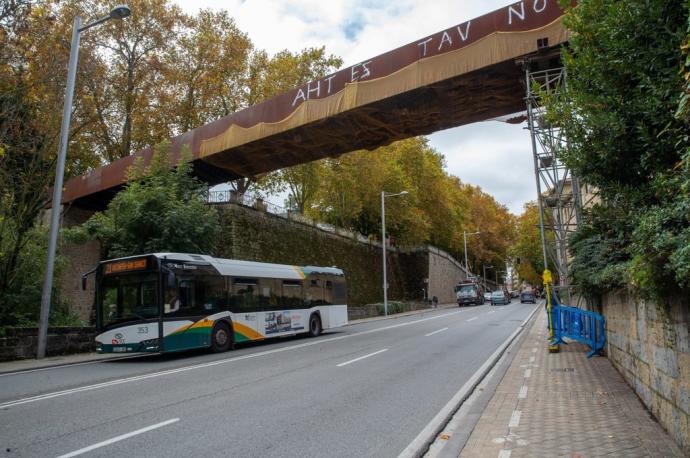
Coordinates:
(21,343)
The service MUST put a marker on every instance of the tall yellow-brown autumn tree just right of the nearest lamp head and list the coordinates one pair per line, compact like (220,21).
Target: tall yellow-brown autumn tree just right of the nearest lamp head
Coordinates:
(125,95)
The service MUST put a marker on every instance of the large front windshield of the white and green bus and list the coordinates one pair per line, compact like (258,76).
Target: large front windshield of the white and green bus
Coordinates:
(128,297)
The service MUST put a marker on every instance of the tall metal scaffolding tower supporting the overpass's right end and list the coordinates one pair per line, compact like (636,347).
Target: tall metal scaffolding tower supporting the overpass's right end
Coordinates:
(558,190)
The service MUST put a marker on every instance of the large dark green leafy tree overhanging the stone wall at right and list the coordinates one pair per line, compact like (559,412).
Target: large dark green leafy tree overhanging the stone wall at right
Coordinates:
(618,115)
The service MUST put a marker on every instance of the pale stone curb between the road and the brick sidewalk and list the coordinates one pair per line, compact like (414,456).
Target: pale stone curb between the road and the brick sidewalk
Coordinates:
(420,444)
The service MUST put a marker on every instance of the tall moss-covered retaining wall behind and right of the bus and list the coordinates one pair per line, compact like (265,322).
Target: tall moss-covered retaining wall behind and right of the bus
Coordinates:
(259,236)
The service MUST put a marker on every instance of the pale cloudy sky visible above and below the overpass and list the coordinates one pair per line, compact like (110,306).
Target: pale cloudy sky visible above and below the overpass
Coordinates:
(491,154)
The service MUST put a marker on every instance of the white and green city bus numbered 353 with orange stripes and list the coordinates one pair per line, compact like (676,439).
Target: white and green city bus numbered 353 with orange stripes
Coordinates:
(198,301)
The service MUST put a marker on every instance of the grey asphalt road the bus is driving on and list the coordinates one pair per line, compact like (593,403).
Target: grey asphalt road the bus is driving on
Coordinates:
(363,390)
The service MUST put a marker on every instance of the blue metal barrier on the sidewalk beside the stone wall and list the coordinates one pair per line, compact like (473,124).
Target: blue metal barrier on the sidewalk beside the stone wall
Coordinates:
(580,325)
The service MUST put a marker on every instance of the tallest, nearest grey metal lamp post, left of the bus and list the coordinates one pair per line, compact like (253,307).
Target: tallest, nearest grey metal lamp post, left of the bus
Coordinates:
(118,12)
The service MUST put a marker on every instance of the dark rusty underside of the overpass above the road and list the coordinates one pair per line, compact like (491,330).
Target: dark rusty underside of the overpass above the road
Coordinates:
(481,95)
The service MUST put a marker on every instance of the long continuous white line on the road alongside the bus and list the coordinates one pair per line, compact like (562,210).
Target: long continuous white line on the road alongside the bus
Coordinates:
(56,394)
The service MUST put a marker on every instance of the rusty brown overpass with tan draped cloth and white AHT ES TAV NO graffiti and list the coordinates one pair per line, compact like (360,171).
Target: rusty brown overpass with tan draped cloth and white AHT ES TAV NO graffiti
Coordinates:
(470,72)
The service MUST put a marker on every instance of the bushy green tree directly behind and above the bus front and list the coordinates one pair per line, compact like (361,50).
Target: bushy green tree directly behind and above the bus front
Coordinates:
(162,208)
